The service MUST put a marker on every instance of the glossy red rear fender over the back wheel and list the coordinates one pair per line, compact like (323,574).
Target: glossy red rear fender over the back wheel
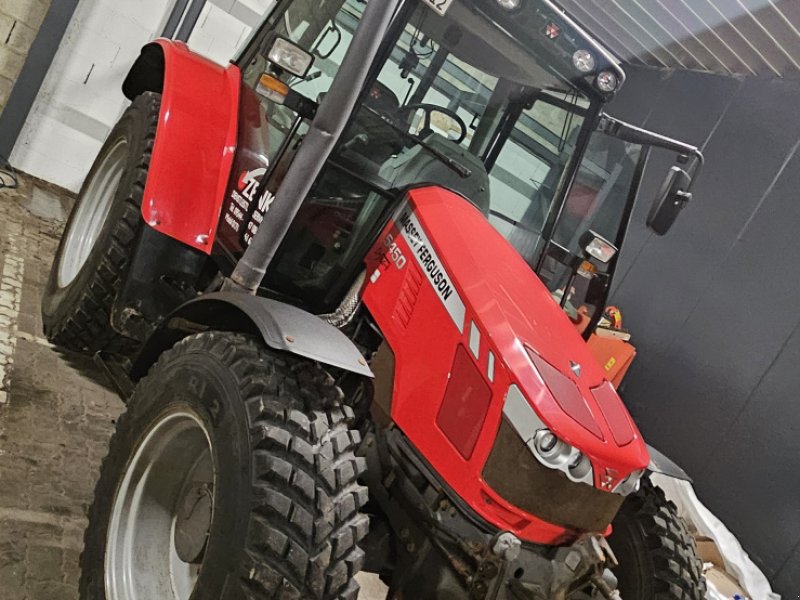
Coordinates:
(194,148)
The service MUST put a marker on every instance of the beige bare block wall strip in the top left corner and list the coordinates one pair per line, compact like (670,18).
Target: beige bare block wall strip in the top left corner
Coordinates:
(19,23)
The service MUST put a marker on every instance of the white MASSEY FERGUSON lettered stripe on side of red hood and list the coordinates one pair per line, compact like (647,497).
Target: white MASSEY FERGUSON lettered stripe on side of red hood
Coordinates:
(427,259)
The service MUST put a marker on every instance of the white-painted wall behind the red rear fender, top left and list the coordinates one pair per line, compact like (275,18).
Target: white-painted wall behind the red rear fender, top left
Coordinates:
(81,97)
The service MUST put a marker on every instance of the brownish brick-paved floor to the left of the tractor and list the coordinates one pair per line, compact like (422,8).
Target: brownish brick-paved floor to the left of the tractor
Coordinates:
(56,415)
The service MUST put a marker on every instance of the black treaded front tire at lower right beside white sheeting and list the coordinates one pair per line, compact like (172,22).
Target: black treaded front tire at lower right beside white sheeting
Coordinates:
(656,552)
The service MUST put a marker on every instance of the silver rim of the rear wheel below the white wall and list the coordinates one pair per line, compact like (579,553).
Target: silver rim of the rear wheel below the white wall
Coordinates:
(91,213)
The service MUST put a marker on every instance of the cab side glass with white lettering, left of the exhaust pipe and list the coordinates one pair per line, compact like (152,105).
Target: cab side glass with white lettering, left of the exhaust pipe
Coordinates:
(269,132)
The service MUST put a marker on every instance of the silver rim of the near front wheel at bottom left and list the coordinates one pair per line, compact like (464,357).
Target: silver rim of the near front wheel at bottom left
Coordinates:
(142,561)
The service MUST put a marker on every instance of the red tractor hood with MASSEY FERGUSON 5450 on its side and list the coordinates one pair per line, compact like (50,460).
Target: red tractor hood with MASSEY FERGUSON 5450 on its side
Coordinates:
(426,292)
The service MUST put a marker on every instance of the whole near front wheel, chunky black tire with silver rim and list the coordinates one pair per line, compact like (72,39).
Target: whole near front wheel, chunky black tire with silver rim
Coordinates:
(231,476)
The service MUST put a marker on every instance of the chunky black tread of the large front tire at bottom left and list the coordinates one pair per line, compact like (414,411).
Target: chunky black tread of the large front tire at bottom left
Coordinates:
(304,523)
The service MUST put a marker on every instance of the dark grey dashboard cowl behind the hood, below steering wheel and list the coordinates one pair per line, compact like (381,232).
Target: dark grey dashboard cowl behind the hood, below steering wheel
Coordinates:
(418,166)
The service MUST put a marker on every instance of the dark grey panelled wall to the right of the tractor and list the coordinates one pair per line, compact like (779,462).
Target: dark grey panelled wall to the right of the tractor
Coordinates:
(713,305)
